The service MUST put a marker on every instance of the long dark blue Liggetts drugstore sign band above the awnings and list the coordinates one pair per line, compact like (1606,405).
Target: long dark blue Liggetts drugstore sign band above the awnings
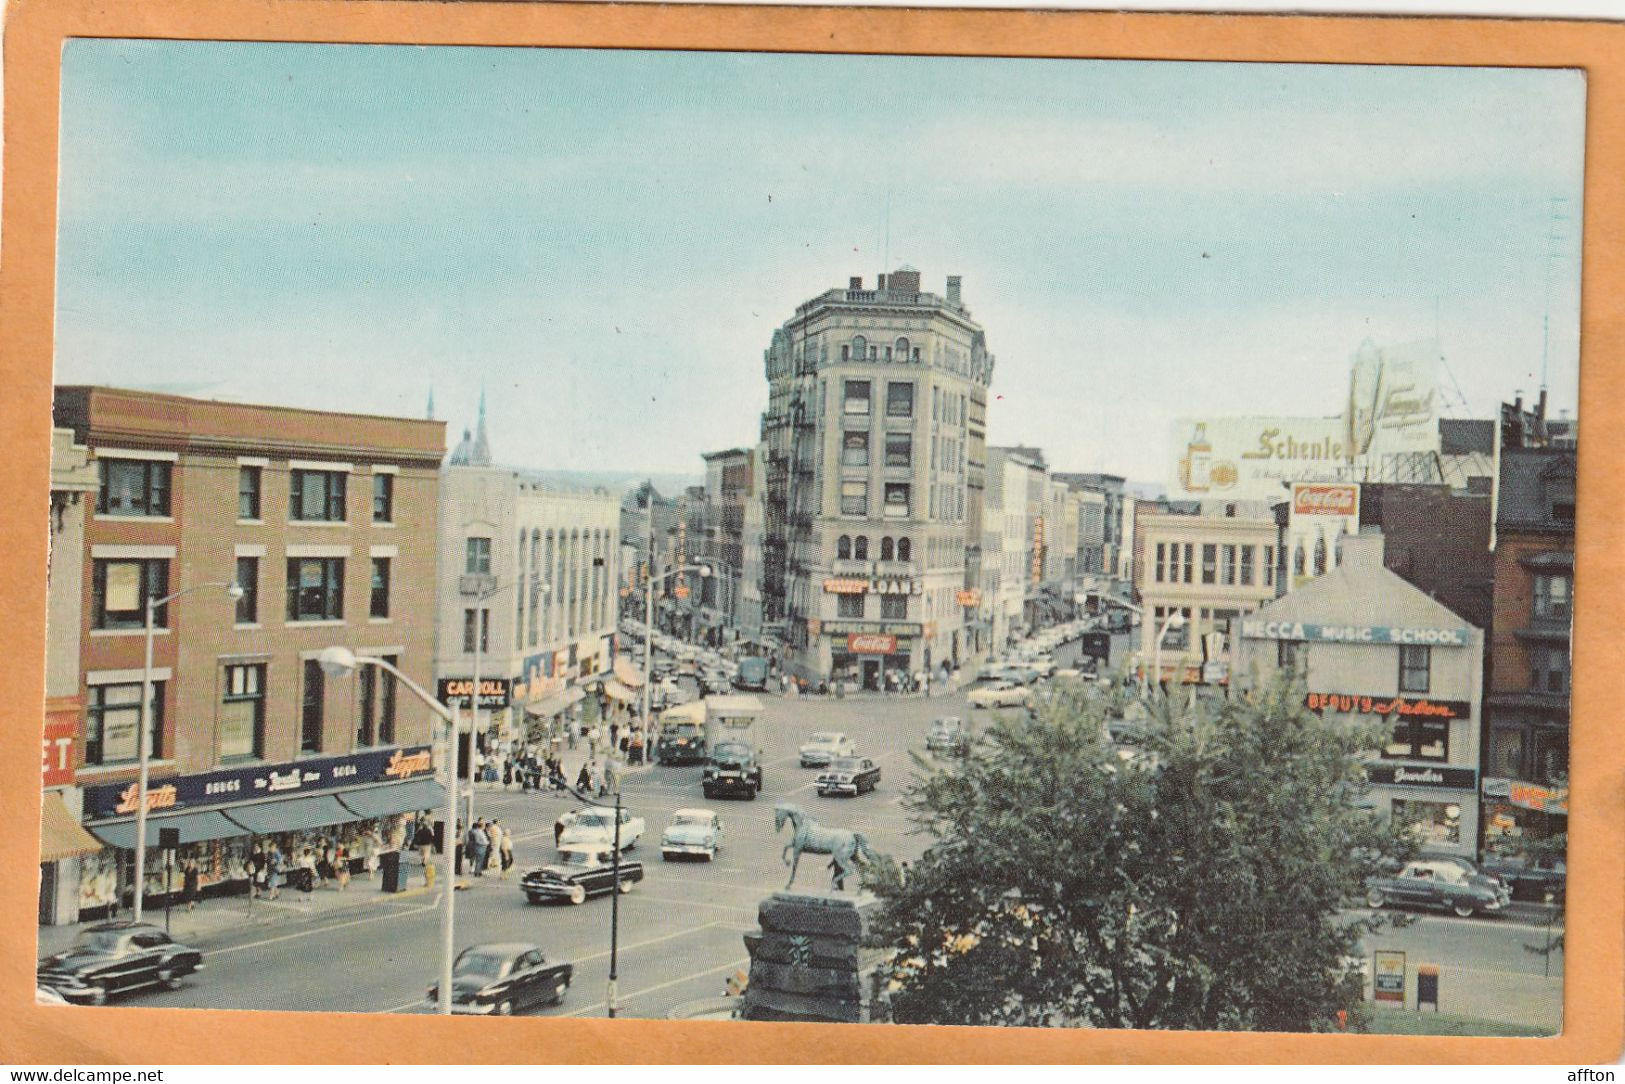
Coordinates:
(214,789)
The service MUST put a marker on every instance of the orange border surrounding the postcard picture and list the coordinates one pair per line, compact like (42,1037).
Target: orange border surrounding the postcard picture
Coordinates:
(33,43)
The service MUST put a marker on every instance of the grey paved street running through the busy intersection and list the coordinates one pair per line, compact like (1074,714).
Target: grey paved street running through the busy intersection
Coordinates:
(682,929)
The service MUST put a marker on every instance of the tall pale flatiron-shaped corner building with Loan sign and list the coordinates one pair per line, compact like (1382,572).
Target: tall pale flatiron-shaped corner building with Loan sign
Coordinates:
(875,459)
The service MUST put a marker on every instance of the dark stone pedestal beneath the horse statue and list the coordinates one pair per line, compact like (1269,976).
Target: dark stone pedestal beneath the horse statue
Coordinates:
(808,961)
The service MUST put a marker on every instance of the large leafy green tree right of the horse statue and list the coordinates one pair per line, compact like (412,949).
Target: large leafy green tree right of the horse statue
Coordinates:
(1133,862)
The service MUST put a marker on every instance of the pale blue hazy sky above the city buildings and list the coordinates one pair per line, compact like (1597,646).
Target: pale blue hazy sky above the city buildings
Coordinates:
(605,241)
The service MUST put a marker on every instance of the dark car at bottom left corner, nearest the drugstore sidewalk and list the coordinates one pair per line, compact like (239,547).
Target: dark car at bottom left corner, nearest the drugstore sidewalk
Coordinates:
(118,958)
